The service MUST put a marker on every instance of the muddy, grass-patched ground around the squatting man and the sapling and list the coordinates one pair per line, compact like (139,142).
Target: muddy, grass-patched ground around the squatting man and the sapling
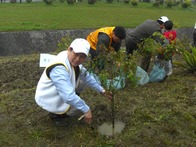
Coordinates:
(154,103)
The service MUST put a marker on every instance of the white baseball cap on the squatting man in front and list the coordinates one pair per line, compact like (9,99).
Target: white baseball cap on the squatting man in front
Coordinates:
(80,45)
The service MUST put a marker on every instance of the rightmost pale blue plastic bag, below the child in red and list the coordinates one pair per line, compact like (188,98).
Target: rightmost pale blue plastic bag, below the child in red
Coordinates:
(157,74)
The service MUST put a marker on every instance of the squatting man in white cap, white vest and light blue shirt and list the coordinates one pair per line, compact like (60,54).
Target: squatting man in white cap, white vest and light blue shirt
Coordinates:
(63,80)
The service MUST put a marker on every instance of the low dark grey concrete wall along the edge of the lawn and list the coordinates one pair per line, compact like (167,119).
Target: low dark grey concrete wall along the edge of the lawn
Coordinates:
(28,42)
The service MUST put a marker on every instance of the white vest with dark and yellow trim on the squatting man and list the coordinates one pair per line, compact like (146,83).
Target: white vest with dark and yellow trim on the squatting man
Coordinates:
(46,95)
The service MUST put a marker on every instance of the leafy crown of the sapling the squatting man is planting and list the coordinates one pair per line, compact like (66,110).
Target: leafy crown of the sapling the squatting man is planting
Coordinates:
(112,67)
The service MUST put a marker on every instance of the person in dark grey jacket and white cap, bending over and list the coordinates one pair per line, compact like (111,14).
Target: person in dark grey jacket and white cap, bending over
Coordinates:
(141,32)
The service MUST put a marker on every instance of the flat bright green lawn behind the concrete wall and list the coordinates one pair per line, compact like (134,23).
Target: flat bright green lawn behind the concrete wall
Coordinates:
(39,16)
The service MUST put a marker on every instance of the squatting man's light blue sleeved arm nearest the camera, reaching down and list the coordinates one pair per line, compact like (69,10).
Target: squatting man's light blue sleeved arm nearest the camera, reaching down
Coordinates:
(61,79)
